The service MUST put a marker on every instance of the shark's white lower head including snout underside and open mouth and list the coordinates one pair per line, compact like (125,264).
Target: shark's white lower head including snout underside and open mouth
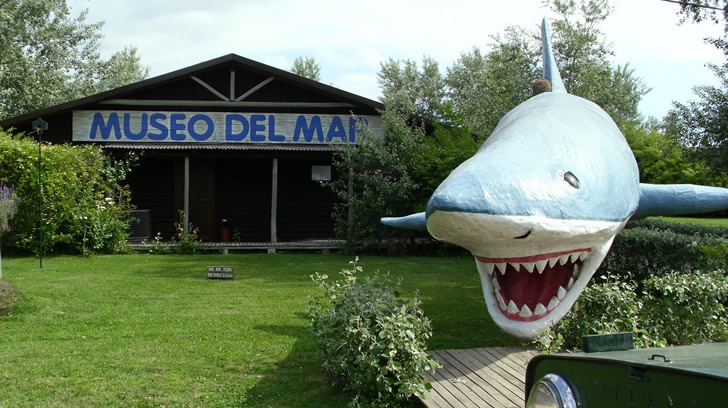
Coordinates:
(532,268)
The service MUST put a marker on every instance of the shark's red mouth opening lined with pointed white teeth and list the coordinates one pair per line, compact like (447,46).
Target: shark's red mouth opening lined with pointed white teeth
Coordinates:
(529,288)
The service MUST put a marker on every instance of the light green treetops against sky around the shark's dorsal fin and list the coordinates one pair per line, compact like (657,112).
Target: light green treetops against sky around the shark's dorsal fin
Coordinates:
(482,86)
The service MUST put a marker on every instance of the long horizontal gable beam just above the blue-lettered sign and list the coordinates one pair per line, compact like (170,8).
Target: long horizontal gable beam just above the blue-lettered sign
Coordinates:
(230,104)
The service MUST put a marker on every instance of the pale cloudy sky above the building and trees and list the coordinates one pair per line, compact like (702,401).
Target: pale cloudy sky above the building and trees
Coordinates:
(350,39)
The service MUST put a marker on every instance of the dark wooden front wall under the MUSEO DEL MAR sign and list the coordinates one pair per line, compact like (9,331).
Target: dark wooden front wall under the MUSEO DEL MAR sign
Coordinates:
(237,188)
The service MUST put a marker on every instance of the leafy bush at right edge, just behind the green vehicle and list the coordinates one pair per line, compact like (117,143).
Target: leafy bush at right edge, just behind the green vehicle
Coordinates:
(687,308)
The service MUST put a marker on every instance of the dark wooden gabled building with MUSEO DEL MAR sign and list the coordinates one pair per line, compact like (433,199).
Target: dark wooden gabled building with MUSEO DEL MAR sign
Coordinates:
(228,139)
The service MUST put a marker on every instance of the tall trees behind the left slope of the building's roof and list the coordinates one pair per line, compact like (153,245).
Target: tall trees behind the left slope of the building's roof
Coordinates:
(49,57)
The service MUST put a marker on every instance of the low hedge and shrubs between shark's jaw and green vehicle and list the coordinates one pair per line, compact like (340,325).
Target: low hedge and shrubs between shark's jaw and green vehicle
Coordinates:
(664,282)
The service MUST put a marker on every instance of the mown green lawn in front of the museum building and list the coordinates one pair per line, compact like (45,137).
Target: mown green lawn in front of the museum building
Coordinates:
(152,331)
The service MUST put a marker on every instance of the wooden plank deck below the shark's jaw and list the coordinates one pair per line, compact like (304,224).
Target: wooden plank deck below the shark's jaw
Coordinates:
(485,377)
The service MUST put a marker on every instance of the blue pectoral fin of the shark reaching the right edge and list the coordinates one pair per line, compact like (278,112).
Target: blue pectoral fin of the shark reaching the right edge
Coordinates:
(680,199)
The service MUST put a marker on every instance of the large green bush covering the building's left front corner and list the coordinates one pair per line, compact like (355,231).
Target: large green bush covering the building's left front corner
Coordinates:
(78,182)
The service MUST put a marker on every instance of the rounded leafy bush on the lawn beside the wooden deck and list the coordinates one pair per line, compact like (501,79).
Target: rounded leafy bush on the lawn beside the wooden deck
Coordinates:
(372,343)
